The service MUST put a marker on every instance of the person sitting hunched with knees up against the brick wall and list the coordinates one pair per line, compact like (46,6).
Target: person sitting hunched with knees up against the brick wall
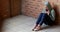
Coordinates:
(47,16)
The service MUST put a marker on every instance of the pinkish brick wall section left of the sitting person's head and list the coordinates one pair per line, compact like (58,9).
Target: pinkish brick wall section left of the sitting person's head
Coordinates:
(32,7)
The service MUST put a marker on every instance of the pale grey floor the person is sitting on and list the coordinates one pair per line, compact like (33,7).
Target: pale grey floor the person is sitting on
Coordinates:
(23,23)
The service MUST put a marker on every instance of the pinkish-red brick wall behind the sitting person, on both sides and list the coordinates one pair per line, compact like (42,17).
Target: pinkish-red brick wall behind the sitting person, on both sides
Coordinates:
(34,7)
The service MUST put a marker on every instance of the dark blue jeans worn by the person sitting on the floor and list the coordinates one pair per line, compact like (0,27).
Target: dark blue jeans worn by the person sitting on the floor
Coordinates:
(44,18)
